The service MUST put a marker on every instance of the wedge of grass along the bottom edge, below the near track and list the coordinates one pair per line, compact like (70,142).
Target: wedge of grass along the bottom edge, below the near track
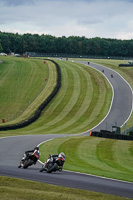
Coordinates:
(17,189)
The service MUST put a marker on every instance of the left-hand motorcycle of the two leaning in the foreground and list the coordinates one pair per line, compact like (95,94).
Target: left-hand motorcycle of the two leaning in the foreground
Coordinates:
(29,159)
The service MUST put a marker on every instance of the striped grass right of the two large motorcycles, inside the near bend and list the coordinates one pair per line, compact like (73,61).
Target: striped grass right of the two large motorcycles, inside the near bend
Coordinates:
(99,156)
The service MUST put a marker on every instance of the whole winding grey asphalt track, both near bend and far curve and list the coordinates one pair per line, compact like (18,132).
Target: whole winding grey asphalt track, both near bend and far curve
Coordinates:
(12,148)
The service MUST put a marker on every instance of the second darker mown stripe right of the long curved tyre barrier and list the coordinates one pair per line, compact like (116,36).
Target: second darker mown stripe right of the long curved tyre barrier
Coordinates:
(82,102)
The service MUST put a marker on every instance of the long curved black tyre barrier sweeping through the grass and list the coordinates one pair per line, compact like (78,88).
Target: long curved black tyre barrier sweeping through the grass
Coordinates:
(38,112)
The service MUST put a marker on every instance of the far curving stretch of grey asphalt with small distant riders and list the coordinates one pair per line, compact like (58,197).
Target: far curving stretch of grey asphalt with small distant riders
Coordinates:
(122,101)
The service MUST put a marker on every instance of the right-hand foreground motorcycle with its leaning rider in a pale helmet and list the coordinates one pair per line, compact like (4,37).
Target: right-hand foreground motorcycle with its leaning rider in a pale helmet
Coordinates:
(53,163)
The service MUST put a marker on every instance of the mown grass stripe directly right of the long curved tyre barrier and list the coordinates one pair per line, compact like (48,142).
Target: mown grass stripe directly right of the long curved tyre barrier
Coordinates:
(52,116)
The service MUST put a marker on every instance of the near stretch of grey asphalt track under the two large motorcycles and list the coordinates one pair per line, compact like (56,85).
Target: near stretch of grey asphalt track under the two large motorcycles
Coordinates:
(12,149)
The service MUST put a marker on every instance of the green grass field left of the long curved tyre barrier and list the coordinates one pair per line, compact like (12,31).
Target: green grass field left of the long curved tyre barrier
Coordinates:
(23,87)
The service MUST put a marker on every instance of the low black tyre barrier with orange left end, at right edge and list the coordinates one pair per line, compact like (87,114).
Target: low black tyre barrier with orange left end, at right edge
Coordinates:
(111,135)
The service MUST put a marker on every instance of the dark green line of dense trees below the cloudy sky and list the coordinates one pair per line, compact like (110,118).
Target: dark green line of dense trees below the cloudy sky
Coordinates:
(17,43)
